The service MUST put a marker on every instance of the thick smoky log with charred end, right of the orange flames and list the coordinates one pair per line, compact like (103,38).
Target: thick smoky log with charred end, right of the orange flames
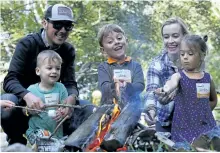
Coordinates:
(121,128)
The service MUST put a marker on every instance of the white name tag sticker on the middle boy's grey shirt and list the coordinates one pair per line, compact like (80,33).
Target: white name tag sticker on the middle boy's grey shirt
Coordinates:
(122,74)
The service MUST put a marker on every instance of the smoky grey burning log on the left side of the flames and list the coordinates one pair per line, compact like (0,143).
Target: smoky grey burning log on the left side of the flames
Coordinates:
(86,132)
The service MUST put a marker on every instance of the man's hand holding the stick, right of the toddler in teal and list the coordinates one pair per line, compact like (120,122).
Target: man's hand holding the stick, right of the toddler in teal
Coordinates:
(70,100)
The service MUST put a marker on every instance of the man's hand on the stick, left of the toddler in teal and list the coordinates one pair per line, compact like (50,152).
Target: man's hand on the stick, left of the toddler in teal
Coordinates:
(33,102)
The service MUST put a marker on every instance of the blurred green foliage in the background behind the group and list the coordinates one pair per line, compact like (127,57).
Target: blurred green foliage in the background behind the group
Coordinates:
(141,20)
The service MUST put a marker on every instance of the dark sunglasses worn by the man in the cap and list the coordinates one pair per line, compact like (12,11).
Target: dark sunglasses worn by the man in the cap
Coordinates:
(58,25)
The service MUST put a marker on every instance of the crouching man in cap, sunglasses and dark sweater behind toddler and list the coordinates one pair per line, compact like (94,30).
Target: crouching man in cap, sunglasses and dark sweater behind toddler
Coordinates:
(57,25)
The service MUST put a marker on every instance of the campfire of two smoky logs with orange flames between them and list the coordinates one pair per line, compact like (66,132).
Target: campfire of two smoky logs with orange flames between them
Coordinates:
(107,128)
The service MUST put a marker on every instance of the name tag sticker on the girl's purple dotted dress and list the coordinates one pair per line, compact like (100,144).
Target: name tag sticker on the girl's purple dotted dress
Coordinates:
(203,90)
